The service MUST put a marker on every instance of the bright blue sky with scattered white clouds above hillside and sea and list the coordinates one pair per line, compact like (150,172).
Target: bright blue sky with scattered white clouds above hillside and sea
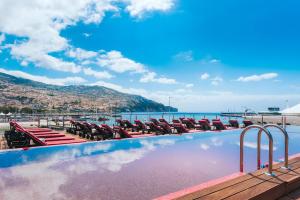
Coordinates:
(206,55)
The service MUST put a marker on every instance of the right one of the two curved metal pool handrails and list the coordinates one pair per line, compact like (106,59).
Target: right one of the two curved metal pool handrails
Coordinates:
(286,144)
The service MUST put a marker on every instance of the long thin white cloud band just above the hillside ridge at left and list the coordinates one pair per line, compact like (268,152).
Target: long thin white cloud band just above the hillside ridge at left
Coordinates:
(44,79)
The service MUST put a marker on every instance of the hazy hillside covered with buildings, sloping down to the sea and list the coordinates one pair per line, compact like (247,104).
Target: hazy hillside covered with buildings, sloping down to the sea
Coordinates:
(28,95)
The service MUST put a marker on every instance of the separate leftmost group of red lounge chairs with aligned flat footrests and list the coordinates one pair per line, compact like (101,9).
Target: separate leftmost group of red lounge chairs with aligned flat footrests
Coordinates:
(19,136)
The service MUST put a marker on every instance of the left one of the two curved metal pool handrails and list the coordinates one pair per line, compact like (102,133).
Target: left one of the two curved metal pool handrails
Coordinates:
(270,167)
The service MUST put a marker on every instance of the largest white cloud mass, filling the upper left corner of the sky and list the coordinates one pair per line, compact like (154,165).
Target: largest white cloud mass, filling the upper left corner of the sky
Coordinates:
(40,22)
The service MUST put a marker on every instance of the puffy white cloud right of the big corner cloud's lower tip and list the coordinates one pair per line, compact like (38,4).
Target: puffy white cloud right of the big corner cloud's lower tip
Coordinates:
(115,61)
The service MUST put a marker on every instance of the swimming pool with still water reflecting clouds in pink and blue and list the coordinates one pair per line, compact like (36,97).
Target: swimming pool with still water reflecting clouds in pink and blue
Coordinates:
(132,168)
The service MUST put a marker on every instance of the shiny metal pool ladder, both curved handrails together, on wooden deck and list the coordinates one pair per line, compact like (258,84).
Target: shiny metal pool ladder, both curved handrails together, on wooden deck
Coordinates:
(264,129)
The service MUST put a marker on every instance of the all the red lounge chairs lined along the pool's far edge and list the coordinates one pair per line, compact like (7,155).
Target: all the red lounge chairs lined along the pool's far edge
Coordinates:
(19,136)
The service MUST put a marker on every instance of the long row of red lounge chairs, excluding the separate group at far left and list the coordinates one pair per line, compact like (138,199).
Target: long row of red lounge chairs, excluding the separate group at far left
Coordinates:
(125,129)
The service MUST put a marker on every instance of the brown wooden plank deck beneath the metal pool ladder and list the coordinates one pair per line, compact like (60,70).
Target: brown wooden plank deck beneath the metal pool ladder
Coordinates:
(257,185)
